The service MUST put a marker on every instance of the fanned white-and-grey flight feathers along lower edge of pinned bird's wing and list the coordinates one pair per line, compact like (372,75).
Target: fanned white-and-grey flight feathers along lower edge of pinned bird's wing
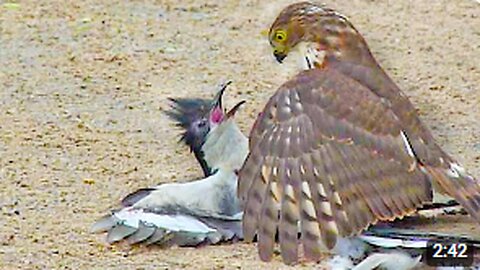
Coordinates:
(138,226)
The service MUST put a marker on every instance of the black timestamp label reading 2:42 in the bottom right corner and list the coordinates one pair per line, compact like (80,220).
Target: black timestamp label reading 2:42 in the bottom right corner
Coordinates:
(447,253)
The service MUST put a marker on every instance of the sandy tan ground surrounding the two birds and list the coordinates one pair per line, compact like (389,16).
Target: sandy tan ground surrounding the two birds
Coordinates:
(83,85)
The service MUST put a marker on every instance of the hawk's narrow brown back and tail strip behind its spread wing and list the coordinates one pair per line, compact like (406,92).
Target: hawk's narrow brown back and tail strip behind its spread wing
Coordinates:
(447,176)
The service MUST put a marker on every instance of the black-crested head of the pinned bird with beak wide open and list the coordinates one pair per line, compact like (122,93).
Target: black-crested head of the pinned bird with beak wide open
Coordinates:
(197,117)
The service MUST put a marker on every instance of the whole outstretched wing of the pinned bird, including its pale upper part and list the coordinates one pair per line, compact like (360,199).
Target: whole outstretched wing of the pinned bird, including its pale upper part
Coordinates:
(183,214)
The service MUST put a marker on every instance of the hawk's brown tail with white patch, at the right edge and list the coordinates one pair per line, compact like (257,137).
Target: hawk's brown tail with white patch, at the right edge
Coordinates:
(463,188)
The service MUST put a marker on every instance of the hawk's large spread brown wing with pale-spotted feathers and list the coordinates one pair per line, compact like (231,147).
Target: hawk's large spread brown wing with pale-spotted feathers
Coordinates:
(329,153)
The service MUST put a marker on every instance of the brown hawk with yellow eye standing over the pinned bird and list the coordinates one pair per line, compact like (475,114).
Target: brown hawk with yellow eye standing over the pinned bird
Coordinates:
(338,147)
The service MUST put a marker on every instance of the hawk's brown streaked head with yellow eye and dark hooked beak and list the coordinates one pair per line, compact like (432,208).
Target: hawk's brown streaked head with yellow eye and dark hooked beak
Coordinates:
(317,32)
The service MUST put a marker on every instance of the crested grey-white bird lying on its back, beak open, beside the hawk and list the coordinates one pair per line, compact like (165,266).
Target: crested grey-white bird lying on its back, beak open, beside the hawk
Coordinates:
(204,211)
